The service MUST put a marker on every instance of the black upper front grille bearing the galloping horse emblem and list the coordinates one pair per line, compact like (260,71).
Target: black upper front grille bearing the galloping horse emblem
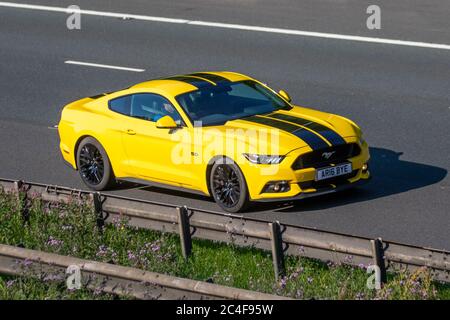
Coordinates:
(317,158)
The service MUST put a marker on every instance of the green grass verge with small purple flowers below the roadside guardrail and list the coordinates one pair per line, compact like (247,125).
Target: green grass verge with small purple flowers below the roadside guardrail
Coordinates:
(72,230)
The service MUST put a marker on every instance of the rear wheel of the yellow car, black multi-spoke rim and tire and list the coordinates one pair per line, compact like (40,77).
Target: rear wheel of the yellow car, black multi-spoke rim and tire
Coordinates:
(94,166)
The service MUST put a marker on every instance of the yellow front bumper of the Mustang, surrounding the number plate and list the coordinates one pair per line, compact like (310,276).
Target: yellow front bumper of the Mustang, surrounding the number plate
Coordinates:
(302,182)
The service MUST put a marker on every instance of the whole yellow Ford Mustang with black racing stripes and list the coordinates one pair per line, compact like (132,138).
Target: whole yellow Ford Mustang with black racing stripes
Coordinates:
(222,134)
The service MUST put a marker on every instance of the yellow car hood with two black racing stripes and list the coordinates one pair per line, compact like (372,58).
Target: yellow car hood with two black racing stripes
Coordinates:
(283,131)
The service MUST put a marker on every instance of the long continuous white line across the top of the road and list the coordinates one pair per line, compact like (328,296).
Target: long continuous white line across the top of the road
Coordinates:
(232,26)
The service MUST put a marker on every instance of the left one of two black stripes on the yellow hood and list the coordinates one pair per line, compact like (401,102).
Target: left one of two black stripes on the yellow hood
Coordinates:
(313,140)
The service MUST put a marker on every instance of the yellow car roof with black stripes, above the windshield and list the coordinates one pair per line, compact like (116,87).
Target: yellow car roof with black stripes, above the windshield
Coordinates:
(175,85)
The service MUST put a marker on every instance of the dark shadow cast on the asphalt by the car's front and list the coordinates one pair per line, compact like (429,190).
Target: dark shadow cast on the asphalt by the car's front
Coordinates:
(390,175)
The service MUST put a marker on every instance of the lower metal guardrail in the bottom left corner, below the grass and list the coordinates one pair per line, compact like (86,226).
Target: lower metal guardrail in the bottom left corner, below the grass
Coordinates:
(116,279)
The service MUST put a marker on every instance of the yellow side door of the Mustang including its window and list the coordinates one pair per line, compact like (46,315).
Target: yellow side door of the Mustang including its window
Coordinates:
(150,150)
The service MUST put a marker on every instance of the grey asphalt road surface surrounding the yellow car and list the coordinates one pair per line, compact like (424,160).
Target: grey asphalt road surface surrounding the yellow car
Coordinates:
(399,95)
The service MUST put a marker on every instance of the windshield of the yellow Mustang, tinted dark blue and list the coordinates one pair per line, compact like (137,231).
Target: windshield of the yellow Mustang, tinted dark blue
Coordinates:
(216,105)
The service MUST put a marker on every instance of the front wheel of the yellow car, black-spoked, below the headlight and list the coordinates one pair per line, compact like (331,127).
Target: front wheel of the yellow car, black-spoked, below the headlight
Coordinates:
(228,186)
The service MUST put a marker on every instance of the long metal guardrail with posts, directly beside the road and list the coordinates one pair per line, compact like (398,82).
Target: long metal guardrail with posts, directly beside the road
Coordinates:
(279,238)
